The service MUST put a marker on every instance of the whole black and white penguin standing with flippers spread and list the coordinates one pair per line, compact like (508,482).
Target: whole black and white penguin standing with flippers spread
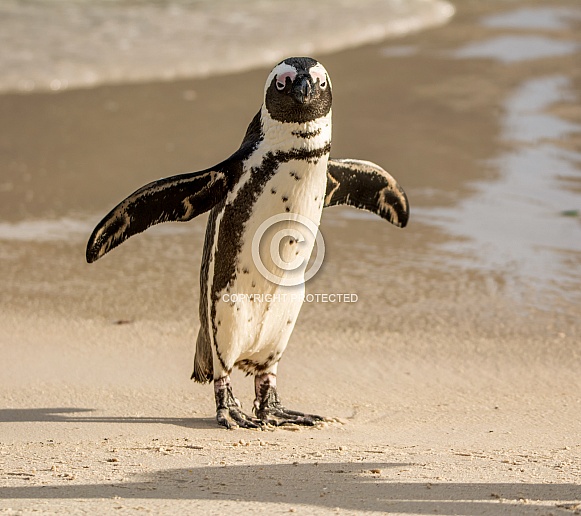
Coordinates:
(282,166)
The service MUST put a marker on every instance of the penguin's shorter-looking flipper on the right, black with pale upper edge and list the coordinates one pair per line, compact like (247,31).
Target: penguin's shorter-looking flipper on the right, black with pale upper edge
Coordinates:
(365,185)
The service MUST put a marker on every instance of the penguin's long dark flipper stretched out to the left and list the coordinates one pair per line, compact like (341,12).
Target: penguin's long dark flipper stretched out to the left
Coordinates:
(178,198)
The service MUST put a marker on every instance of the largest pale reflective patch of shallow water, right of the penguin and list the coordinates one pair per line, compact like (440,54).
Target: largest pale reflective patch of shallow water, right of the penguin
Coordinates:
(518,221)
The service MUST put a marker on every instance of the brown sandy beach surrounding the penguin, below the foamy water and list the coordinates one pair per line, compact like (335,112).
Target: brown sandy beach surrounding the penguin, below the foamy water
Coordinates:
(454,377)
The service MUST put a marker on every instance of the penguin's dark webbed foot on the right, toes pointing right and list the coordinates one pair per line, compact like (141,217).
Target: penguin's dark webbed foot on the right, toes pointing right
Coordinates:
(269,409)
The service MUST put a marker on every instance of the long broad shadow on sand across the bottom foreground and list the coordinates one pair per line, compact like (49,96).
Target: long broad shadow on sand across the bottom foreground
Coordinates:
(349,486)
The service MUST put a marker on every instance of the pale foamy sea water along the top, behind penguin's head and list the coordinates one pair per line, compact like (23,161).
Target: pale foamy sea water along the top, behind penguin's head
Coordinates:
(60,44)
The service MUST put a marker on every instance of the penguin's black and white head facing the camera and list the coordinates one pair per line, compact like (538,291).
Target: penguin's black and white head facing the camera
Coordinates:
(298,90)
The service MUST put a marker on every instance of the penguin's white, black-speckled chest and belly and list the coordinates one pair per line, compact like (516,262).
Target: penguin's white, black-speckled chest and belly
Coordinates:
(256,312)
